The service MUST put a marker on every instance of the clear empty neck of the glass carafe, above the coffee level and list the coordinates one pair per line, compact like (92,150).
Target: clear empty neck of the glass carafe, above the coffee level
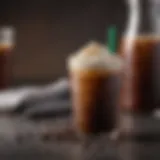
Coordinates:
(144,18)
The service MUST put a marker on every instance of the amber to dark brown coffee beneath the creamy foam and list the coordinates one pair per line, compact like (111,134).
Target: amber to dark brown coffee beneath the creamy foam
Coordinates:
(93,101)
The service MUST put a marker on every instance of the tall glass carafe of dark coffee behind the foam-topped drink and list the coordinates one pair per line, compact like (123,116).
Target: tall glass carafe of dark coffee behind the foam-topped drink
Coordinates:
(139,48)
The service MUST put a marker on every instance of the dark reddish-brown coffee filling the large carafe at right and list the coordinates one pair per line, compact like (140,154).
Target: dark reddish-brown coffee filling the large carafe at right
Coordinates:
(137,82)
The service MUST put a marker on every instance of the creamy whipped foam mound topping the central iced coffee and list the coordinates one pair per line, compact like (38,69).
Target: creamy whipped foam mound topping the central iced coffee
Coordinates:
(94,56)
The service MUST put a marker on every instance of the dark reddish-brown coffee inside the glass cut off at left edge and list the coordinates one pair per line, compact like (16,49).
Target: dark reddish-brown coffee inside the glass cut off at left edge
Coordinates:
(4,67)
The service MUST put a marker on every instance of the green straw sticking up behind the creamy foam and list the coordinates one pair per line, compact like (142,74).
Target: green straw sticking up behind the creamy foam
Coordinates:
(112,39)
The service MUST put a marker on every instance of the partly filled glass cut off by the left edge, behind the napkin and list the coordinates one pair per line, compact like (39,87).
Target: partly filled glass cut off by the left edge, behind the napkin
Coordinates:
(7,43)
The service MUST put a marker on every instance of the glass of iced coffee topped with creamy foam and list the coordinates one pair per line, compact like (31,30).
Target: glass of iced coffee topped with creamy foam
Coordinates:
(92,73)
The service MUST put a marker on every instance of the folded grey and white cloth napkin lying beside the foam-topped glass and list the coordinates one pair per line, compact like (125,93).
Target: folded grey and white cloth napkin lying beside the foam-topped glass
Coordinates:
(45,100)
